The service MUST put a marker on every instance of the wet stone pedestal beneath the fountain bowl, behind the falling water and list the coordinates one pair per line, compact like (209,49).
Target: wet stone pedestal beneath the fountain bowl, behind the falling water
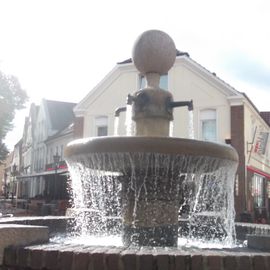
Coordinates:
(150,211)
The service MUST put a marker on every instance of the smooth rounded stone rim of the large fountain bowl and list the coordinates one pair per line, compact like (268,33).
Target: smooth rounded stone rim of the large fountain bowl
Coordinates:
(145,144)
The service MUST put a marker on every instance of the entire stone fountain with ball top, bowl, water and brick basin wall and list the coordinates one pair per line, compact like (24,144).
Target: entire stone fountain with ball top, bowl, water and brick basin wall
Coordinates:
(152,189)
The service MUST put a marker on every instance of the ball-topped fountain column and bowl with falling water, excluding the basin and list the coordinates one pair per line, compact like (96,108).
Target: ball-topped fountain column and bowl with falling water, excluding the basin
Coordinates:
(145,179)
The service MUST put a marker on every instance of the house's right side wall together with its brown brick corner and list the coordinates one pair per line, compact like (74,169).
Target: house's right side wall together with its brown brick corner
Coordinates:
(247,130)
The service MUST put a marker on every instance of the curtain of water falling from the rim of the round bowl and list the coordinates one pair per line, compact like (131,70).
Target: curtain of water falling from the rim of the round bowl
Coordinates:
(203,186)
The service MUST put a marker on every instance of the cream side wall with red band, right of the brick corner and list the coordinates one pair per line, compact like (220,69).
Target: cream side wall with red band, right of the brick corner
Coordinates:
(257,150)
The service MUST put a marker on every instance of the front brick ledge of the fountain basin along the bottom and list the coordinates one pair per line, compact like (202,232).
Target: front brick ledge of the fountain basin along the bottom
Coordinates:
(70,256)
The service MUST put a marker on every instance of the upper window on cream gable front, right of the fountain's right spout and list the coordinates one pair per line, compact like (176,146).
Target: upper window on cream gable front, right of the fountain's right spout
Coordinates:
(208,124)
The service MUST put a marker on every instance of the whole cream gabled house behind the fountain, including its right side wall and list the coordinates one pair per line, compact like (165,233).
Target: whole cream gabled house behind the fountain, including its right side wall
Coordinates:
(221,114)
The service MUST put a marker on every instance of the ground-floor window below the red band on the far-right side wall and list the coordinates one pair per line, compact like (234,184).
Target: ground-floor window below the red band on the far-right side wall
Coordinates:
(258,190)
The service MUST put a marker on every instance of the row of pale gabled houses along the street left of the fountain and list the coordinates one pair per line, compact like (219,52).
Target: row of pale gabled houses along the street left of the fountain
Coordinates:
(46,133)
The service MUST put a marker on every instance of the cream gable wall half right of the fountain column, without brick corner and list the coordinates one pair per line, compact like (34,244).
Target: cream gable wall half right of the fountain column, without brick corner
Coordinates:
(186,84)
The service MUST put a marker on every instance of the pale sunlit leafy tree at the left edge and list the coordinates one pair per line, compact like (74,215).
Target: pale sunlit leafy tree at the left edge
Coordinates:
(12,98)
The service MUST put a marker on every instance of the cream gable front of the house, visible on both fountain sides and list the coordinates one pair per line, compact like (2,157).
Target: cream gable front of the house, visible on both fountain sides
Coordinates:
(186,80)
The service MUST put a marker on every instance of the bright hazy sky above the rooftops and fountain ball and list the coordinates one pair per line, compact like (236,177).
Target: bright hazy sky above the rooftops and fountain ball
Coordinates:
(60,49)
